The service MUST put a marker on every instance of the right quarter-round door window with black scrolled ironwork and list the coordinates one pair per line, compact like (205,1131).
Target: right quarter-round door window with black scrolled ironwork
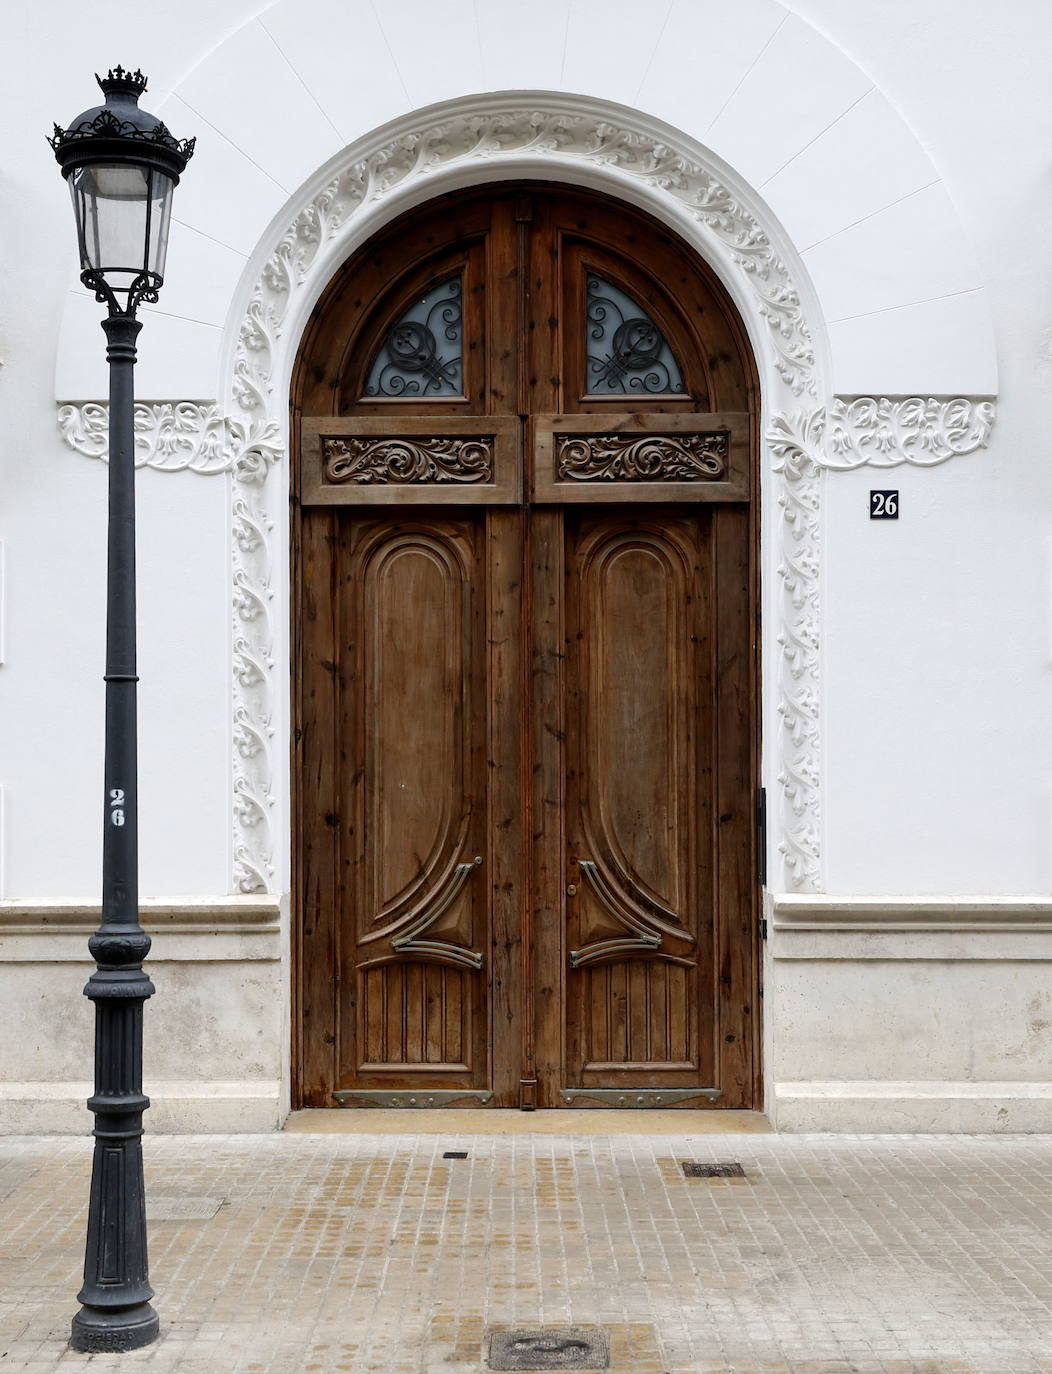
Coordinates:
(627,351)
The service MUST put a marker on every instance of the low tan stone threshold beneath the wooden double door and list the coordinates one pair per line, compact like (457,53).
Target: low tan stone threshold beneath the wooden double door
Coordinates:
(512,1122)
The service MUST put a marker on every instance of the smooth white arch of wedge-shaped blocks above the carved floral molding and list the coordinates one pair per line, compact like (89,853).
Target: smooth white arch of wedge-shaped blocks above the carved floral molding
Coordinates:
(771,101)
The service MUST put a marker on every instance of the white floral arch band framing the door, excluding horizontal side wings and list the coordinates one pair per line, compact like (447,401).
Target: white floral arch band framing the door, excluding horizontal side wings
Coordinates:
(617,152)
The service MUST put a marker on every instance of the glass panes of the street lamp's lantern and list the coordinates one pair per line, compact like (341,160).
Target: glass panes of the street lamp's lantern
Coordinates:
(123,221)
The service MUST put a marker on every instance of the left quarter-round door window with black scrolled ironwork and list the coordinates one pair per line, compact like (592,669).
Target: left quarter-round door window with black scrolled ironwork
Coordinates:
(422,354)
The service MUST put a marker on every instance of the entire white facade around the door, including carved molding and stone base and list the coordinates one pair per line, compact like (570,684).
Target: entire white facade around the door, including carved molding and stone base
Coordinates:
(873,188)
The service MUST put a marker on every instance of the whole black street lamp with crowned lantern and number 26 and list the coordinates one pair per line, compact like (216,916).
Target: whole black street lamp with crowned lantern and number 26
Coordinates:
(122,166)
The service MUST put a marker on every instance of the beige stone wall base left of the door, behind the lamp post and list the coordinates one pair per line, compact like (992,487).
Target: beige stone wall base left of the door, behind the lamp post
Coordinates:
(215,1035)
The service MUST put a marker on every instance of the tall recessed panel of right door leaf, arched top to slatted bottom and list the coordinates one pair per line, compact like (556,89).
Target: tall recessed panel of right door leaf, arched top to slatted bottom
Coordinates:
(639,925)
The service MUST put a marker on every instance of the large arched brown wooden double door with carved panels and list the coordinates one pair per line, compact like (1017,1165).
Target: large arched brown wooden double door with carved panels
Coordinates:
(525,667)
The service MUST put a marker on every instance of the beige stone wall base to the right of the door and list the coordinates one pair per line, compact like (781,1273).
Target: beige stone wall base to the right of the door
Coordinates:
(908,1015)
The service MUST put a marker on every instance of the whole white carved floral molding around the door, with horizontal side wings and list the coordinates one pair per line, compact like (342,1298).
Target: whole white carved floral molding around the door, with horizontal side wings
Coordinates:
(807,429)
